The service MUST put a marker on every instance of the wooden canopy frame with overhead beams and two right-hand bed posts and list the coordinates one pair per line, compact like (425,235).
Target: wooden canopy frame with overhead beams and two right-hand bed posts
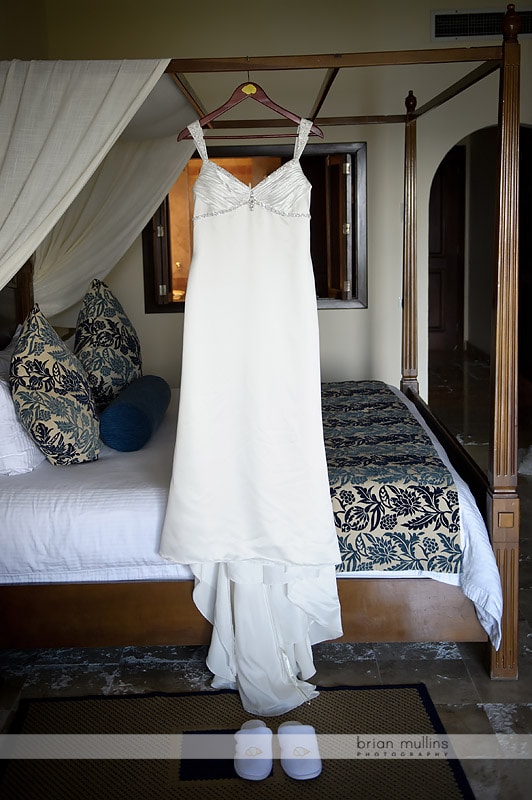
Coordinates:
(498,490)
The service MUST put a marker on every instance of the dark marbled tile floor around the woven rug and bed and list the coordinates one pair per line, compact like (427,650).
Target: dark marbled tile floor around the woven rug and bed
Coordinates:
(455,674)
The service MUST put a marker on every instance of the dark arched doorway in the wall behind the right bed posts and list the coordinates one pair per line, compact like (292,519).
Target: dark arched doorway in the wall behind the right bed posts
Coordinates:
(461,264)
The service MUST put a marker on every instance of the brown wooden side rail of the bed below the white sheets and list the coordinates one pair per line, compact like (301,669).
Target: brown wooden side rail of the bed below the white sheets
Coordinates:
(163,613)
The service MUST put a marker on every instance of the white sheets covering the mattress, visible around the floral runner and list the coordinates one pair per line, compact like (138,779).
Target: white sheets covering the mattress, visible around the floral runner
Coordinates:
(64,524)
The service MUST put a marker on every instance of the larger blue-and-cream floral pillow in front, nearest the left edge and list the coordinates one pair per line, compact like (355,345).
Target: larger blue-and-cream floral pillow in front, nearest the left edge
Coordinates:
(52,396)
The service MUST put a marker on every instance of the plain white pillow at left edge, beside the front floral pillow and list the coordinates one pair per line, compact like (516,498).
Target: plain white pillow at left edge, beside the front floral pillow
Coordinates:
(18,451)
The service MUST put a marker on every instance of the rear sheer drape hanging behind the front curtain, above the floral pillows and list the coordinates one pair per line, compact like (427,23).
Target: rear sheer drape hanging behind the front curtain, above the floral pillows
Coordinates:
(105,218)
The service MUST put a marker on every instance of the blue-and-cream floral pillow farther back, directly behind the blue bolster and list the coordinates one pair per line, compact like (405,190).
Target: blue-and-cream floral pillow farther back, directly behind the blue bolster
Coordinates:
(106,344)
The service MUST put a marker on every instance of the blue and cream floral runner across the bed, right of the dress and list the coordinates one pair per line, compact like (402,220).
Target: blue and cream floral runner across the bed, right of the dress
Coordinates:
(395,503)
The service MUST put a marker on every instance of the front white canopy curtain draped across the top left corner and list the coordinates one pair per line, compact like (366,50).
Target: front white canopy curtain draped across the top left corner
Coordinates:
(58,120)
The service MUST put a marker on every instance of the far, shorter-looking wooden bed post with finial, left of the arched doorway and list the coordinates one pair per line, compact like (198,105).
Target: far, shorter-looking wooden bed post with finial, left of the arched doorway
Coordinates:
(409,365)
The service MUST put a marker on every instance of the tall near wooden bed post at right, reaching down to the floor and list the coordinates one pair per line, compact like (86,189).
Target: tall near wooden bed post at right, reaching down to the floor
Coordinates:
(503,500)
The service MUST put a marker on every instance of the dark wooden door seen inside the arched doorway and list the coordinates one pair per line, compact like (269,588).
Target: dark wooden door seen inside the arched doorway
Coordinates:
(446,253)
